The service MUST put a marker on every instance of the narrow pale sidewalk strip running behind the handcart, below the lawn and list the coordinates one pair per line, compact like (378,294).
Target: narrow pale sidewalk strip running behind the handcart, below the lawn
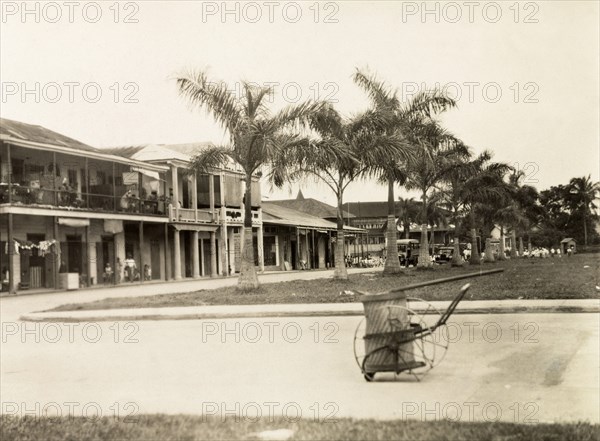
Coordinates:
(309,310)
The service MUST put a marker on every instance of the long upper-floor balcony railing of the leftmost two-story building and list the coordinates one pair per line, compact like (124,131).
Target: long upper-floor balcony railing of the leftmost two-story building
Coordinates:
(73,200)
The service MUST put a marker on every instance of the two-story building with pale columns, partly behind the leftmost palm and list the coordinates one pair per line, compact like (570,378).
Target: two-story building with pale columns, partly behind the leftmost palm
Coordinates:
(206,211)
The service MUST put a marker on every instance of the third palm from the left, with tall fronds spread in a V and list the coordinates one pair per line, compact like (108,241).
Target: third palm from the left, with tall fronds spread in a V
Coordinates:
(405,116)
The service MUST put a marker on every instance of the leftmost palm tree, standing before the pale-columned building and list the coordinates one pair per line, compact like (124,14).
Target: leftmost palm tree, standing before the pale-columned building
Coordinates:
(256,138)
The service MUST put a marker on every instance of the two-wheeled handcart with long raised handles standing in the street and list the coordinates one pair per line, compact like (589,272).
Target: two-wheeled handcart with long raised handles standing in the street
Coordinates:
(404,334)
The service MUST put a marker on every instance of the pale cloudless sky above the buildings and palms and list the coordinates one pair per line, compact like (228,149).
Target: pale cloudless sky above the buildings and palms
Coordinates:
(525,74)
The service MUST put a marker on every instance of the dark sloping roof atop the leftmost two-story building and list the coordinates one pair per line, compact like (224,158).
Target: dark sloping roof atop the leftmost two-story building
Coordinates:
(38,134)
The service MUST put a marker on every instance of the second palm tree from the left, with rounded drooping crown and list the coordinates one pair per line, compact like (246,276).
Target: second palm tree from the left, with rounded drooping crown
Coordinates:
(346,150)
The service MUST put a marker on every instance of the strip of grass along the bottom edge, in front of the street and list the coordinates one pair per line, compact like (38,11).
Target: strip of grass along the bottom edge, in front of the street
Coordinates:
(189,428)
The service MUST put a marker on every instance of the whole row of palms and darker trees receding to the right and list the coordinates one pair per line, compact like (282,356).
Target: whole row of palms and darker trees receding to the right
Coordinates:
(397,143)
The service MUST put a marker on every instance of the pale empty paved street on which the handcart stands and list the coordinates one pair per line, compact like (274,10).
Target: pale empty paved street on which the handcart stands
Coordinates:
(521,367)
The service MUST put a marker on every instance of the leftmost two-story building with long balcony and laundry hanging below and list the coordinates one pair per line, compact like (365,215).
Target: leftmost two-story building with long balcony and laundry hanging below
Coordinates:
(72,215)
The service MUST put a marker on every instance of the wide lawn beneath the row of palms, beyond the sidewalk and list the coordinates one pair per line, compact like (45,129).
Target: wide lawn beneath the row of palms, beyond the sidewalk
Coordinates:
(552,278)
